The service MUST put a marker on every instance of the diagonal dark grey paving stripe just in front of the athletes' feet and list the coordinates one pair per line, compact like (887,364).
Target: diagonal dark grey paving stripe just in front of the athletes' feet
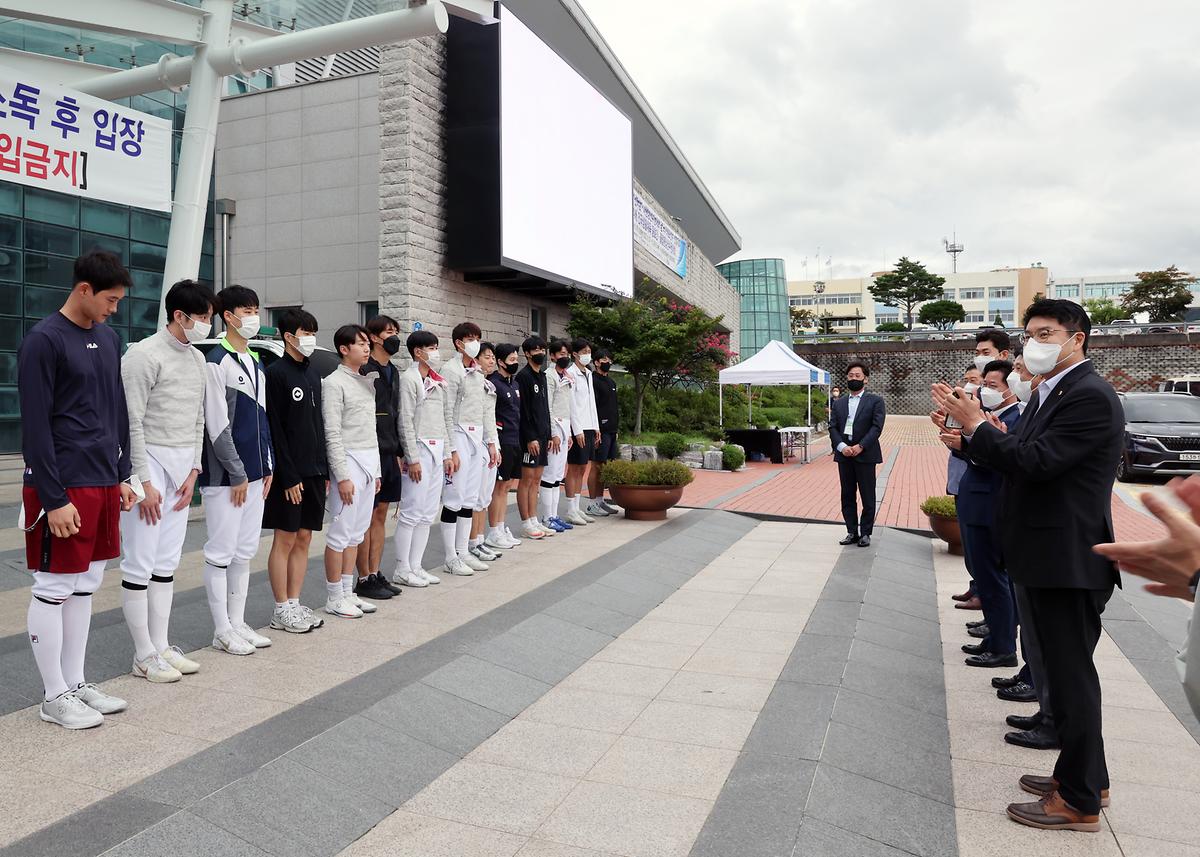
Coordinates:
(308,772)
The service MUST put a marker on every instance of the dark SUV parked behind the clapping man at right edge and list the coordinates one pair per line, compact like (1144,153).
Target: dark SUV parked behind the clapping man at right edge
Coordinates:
(1162,435)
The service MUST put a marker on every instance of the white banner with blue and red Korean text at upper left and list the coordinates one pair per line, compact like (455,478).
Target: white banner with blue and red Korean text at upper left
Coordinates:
(59,140)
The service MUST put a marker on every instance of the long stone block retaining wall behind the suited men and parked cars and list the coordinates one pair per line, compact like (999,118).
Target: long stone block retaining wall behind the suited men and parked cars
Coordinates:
(904,371)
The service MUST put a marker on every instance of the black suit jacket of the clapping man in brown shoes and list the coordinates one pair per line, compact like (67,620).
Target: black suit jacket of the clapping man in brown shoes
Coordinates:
(1057,499)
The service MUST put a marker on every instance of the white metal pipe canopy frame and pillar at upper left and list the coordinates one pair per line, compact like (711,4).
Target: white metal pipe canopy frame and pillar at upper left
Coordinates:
(223,46)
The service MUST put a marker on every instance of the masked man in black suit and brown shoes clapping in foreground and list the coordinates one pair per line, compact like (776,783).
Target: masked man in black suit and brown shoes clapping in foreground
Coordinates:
(1055,505)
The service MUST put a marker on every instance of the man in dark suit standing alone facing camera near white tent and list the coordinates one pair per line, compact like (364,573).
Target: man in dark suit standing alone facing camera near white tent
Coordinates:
(856,422)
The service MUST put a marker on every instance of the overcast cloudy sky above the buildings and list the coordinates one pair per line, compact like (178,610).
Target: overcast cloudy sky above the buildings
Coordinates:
(1061,133)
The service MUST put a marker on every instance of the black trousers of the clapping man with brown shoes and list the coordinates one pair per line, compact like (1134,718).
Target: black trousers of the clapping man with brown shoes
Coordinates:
(1067,624)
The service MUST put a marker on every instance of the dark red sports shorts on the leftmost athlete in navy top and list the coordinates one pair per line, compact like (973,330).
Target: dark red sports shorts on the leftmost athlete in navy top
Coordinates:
(99,537)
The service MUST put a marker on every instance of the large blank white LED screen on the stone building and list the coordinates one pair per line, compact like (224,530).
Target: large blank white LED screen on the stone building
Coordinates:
(567,170)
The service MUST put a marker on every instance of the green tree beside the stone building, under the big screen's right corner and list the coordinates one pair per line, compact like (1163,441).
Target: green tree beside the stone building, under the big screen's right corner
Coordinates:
(659,343)
